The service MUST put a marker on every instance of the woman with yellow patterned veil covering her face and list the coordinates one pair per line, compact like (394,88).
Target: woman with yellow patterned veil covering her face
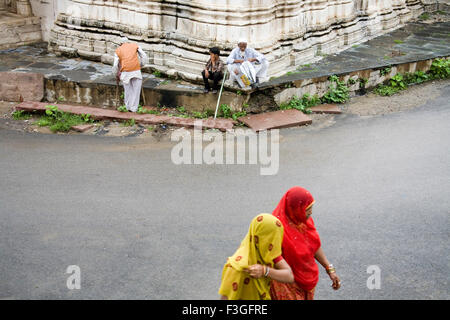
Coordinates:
(247,273)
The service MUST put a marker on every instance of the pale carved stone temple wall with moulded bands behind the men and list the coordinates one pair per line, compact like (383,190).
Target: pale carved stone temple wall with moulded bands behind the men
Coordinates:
(177,33)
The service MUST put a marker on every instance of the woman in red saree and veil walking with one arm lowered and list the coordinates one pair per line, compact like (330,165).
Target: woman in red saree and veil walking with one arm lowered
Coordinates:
(301,247)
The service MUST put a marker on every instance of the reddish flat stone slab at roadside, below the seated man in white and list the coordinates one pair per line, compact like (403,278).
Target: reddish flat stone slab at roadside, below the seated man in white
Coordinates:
(276,120)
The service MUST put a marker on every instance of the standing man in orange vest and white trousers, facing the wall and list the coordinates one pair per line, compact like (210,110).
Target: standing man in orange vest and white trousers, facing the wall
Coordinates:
(128,60)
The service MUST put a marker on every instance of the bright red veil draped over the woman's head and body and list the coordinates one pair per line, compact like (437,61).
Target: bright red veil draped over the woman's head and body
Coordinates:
(301,240)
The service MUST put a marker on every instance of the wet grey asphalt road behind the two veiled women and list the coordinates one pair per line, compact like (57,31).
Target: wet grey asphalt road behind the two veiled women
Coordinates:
(140,227)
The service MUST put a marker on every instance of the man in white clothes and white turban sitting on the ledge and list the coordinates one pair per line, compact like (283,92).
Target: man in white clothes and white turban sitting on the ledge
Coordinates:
(241,54)
